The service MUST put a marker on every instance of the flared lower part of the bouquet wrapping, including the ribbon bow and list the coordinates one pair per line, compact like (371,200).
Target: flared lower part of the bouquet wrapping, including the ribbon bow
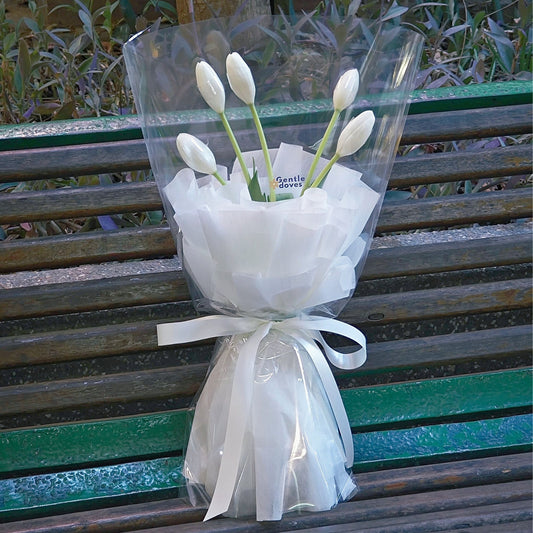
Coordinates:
(270,434)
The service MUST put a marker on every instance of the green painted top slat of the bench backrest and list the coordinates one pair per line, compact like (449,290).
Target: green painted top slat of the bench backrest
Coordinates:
(106,129)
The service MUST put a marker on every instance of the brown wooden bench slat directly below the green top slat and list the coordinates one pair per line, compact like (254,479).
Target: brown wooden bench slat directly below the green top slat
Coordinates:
(108,157)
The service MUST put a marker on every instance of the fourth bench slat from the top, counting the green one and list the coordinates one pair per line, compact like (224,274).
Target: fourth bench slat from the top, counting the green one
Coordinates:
(82,248)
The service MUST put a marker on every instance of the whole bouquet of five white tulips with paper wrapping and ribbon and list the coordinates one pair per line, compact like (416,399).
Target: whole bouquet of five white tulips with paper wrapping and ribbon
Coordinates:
(271,244)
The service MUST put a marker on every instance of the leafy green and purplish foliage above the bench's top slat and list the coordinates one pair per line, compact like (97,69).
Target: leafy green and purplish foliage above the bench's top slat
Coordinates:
(49,72)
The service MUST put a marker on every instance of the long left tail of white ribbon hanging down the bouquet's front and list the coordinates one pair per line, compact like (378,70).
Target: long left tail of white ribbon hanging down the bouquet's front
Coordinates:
(239,409)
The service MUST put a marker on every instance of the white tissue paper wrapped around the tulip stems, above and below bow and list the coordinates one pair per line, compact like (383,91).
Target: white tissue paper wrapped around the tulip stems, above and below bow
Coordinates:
(276,260)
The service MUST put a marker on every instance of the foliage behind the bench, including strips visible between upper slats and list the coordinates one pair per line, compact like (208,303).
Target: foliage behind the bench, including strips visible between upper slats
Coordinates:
(49,72)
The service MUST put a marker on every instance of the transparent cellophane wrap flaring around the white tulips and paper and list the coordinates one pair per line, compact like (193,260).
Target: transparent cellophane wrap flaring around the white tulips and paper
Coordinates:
(279,265)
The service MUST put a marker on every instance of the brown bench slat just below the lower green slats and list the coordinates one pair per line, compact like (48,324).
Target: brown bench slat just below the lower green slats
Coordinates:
(501,472)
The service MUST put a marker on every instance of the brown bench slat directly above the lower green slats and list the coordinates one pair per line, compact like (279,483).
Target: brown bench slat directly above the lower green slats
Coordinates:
(156,383)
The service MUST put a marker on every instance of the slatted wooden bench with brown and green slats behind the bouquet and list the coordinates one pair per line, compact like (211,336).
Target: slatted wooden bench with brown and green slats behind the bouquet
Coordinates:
(93,413)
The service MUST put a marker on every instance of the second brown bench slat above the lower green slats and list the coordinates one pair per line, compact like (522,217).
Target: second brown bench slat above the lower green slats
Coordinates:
(363,311)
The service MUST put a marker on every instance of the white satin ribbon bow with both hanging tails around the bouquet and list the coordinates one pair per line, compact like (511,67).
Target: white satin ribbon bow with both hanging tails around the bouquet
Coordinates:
(307,332)
